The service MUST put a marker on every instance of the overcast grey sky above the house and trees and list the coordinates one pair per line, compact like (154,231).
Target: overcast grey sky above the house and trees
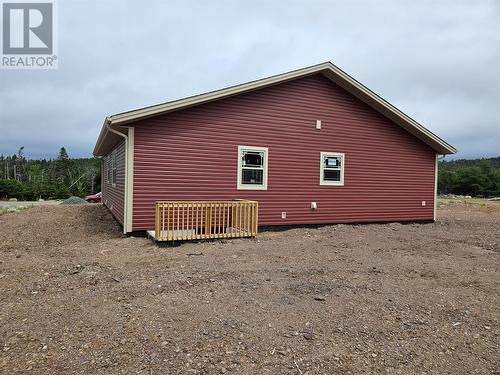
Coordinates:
(437,61)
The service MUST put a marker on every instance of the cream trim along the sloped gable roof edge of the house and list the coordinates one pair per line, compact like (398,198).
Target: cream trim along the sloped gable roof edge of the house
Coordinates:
(328,69)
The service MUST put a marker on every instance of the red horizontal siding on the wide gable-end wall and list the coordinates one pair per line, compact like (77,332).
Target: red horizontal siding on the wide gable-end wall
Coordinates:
(191,154)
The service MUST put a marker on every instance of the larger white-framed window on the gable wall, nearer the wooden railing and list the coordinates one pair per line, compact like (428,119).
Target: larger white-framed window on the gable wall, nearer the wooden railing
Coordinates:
(252,168)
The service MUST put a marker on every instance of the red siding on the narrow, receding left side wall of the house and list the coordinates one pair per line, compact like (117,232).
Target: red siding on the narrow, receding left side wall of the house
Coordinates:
(113,196)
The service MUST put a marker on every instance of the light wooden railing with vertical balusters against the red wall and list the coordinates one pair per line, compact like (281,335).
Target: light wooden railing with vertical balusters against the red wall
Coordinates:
(193,220)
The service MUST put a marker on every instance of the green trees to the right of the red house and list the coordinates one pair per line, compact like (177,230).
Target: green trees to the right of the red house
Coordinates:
(478,177)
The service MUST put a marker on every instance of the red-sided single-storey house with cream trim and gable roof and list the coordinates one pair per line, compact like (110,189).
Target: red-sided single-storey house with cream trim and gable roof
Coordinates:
(311,146)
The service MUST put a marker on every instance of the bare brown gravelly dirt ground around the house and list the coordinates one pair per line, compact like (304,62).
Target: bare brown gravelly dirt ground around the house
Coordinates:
(78,297)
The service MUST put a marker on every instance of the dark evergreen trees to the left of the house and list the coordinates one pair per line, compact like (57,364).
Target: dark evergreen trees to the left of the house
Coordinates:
(59,178)
